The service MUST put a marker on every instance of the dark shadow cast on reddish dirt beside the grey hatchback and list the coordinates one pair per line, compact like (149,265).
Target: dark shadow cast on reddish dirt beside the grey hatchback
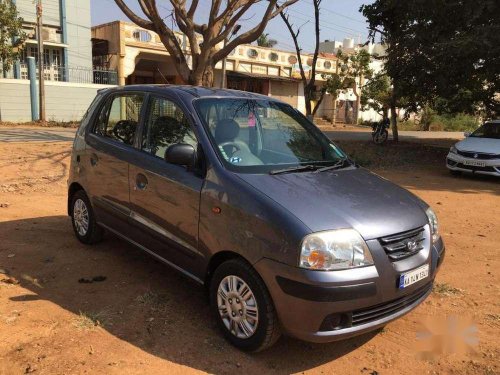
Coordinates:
(139,300)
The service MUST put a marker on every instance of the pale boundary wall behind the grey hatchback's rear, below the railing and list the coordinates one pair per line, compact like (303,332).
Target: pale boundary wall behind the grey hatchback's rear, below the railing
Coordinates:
(64,101)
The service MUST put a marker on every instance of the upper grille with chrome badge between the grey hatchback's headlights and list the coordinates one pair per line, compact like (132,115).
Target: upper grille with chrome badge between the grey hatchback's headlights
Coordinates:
(403,245)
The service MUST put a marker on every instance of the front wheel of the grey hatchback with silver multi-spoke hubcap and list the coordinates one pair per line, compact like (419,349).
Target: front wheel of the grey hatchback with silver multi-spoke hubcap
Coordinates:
(249,334)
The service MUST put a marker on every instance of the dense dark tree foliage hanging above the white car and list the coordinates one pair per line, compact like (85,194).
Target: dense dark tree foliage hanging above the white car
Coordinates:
(442,54)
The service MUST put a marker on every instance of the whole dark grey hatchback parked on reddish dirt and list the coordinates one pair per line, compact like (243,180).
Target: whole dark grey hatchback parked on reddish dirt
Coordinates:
(241,193)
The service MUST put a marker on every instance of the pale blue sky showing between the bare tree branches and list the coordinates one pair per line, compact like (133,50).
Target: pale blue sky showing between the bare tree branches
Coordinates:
(339,19)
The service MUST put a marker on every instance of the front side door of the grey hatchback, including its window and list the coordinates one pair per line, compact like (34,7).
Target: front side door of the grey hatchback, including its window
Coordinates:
(164,197)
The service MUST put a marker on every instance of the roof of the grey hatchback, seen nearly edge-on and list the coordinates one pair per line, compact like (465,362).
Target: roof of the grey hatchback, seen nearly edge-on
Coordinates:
(194,91)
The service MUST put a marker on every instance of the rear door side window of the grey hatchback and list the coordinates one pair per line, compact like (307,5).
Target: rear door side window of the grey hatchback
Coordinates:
(119,119)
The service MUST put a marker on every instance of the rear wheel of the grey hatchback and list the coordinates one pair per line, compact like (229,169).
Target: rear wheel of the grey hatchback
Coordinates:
(81,208)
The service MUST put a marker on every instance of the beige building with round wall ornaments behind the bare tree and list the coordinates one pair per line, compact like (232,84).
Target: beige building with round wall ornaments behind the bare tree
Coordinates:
(139,57)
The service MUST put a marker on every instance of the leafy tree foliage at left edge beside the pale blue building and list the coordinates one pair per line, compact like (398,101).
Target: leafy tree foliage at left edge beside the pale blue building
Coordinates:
(12,35)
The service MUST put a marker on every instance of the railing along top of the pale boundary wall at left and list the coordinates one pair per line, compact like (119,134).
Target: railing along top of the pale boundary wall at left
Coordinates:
(67,74)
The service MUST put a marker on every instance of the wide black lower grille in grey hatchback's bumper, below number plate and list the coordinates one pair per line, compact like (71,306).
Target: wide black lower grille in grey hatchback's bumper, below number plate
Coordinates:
(383,310)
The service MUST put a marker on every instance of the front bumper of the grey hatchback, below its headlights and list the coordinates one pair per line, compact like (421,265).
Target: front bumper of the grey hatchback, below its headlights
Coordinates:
(322,307)
